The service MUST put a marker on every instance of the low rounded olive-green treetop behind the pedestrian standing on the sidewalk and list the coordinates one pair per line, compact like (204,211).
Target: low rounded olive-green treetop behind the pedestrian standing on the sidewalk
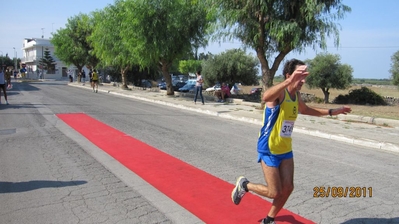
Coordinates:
(231,66)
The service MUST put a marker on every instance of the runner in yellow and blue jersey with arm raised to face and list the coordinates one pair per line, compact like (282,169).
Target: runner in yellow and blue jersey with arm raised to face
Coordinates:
(283,103)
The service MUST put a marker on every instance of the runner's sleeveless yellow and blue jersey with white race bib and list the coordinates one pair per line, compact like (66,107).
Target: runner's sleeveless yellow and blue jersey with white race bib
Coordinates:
(278,124)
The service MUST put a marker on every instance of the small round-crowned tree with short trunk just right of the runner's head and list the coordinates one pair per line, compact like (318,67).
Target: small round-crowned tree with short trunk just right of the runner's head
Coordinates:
(326,72)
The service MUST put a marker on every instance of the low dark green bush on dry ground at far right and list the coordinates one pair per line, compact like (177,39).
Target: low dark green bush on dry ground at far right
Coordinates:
(362,96)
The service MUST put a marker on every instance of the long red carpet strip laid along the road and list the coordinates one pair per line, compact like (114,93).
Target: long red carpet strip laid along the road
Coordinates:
(204,195)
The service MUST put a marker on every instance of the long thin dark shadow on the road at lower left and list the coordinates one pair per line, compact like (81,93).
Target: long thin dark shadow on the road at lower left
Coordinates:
(12,187)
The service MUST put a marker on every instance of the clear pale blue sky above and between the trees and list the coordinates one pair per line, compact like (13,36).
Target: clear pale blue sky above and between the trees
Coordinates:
(369,34)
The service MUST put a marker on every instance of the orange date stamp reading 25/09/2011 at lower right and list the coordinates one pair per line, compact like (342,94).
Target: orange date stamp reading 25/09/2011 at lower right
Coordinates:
(342,192)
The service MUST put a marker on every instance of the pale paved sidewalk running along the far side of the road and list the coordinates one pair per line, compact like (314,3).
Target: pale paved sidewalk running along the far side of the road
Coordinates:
(362,131)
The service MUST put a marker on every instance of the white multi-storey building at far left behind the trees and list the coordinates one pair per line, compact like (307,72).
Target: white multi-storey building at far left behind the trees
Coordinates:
(33,50)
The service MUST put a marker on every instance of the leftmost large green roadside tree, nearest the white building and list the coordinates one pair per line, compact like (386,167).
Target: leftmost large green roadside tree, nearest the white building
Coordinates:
(72,45)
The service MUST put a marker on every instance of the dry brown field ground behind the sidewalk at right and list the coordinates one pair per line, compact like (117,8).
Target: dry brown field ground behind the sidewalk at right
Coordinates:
(390,112)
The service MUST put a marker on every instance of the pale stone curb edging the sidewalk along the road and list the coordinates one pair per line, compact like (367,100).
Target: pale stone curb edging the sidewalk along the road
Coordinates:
(350,140)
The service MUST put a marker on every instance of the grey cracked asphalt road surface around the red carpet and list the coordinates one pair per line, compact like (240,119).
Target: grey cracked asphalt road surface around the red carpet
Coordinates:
(51,174)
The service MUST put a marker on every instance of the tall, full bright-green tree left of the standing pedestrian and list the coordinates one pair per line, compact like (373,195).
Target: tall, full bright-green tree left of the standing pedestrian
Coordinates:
(160,32)
